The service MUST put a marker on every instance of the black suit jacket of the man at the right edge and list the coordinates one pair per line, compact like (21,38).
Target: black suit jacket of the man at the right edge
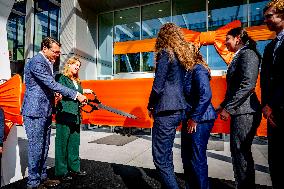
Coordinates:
(271,79)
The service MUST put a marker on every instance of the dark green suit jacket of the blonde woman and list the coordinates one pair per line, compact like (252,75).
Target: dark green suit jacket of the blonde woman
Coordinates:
(67,110)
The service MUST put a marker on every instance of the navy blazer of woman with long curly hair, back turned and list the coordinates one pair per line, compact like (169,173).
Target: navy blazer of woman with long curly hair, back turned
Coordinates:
(167,91)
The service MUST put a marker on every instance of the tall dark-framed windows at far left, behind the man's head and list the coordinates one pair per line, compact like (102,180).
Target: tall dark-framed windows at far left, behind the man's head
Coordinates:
(46,22)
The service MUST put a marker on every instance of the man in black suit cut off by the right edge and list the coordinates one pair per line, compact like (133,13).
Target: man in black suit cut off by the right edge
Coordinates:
(272,89)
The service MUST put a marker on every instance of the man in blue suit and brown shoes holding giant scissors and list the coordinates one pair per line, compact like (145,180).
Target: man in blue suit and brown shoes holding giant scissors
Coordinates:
(37,109)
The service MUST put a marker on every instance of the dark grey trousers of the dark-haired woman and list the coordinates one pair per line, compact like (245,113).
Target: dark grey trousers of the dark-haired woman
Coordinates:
(243,129)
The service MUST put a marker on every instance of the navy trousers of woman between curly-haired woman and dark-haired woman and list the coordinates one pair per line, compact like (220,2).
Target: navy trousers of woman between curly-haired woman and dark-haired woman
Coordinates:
(193,153)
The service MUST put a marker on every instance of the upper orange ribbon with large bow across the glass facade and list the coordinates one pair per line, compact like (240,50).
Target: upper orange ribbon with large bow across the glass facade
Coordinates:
(216,38)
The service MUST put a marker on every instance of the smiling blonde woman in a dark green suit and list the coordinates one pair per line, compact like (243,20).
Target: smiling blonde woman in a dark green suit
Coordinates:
(68,119)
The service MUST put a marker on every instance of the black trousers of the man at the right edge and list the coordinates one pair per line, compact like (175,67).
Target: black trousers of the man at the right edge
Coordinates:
(275,153)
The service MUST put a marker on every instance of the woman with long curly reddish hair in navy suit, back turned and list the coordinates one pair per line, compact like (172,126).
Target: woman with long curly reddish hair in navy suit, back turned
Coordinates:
(167,103)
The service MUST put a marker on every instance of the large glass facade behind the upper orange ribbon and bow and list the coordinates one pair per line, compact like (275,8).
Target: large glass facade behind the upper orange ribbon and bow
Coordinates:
(144,22)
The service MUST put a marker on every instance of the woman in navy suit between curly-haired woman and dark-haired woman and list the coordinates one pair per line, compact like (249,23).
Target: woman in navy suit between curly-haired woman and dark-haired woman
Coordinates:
(200,117)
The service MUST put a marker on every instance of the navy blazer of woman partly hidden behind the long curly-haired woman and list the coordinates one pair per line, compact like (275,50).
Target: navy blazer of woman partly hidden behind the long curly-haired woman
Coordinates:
(198,94)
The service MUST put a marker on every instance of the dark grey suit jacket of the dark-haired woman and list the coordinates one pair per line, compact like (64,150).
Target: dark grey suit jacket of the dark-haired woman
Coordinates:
(241,79)
